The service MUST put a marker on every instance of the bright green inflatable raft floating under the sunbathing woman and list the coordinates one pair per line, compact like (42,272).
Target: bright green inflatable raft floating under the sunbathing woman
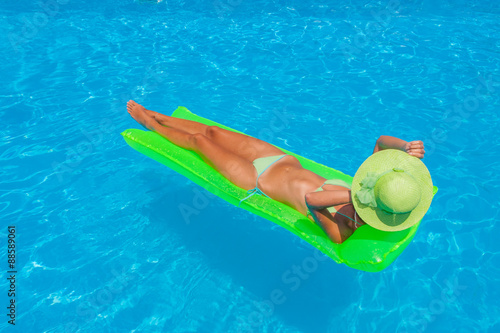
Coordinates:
(368,249)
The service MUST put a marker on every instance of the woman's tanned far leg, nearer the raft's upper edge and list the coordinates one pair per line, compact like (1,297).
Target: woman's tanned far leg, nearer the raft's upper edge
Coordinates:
(240,144)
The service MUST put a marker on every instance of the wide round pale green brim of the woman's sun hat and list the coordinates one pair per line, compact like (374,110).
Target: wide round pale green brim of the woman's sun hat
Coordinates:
(386,160)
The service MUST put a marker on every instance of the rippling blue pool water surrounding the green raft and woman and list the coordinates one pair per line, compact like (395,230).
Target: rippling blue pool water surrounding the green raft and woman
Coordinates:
(102,245)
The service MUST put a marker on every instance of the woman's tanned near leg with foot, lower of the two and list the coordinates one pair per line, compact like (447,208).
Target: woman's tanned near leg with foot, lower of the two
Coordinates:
(236,169)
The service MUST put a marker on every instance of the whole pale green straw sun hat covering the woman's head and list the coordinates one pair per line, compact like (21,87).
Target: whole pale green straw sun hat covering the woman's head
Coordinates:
(392,190)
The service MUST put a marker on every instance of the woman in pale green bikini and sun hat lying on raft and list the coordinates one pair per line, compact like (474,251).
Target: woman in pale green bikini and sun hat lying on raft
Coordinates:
(388,196)
